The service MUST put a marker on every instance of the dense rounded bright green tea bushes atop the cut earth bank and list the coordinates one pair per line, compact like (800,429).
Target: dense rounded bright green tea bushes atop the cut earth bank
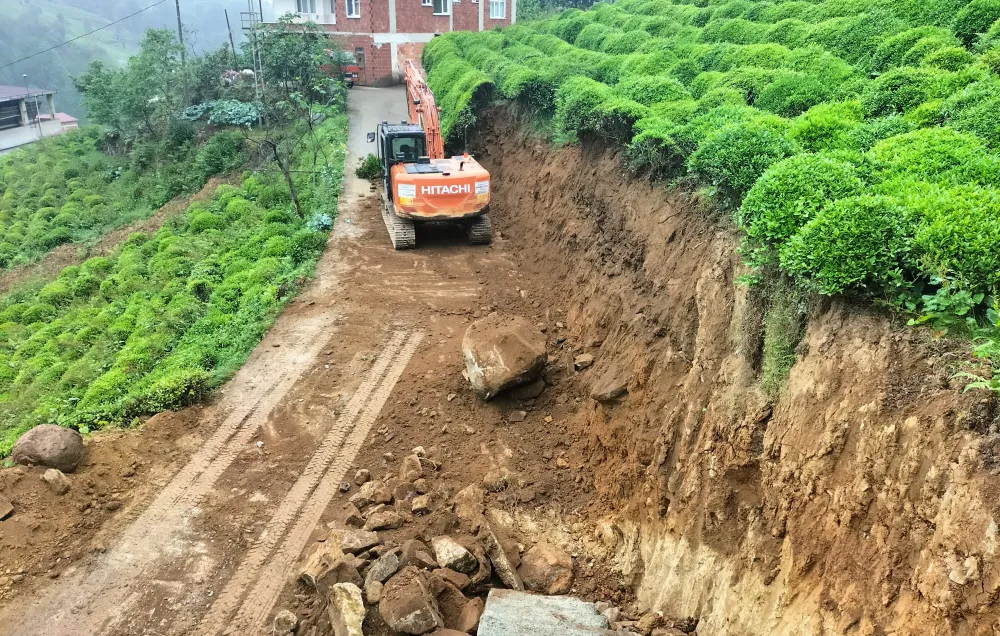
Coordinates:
(857,141)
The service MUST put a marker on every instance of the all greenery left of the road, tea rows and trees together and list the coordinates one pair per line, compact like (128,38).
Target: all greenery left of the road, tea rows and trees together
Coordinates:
(167,316)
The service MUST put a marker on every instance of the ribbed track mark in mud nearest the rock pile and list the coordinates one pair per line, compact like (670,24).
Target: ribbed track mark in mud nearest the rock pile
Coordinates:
(304,505)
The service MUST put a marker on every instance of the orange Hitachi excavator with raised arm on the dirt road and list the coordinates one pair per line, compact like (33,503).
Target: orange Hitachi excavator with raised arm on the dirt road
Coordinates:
(420,183)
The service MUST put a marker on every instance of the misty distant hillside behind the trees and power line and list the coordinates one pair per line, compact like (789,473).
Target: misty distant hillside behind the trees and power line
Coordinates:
(31,26)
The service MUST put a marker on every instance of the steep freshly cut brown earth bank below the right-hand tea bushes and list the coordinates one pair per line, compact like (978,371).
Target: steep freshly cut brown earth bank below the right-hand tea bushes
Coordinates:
(863,500)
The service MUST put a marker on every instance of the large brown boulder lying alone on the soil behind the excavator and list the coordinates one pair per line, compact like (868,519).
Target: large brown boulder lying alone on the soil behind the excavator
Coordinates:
(502,352)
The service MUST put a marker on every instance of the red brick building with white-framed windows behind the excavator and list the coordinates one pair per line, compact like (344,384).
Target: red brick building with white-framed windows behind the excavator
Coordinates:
(383,34)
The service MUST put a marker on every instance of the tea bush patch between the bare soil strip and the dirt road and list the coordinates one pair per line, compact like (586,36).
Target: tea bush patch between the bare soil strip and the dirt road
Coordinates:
(166,317)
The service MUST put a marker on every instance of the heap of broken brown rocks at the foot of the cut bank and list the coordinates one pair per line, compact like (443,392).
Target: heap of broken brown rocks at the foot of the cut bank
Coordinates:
(432,583)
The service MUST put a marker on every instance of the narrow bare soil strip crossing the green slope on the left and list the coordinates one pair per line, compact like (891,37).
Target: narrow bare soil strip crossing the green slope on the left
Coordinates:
(75,253)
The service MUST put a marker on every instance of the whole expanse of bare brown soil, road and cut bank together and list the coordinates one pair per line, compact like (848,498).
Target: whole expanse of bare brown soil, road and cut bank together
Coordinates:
(863,500)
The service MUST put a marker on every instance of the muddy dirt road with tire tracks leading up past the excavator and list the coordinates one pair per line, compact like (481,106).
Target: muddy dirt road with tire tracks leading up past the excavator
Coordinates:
(210,548)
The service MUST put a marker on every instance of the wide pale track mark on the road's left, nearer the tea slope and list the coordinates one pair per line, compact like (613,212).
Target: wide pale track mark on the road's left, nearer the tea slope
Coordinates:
(100,591)
